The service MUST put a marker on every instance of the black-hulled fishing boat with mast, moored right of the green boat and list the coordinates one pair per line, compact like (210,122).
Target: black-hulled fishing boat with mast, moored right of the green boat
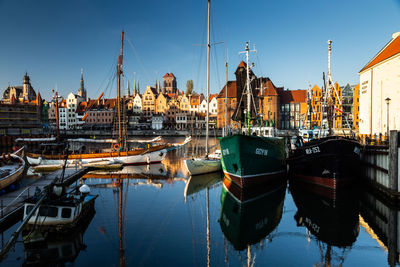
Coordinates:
(331,162)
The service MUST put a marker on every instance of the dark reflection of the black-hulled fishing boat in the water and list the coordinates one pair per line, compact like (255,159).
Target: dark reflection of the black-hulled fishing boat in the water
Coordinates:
(330,218)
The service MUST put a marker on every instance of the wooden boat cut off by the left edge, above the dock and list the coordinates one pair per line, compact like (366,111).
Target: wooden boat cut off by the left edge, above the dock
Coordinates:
(11,169)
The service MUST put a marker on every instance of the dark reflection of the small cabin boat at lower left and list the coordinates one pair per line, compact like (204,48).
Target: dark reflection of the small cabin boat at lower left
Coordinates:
(57,249)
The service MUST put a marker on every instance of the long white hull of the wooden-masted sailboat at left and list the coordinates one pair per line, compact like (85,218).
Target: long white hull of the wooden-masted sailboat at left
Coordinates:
(147,158)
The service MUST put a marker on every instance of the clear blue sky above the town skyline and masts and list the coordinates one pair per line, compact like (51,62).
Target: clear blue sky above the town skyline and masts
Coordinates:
(53,40)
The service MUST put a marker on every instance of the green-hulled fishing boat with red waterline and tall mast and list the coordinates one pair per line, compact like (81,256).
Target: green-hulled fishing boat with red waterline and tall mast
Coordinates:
(250,160)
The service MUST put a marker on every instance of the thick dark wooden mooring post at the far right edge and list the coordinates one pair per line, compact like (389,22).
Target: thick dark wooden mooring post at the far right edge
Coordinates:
(393,161)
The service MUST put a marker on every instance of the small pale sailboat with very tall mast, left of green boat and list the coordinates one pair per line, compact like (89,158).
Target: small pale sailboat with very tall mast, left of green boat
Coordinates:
(207,164)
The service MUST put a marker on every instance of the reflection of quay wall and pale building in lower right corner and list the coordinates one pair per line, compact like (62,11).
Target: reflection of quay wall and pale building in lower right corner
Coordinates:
(380,219)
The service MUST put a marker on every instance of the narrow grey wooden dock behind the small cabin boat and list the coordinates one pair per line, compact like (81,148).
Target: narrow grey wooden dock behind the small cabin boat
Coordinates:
(11,204)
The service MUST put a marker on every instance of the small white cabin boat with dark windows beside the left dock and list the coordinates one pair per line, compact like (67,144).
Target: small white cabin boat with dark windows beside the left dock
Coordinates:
(60,211)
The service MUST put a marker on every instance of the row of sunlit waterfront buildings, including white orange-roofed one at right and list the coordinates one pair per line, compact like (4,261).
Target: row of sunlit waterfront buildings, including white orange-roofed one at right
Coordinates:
(370,107)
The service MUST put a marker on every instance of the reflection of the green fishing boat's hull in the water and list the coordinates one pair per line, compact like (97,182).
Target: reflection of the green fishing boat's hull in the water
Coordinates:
(247,221)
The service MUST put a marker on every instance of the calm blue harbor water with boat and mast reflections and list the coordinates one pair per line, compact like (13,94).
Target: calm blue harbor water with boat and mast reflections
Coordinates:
(158,216)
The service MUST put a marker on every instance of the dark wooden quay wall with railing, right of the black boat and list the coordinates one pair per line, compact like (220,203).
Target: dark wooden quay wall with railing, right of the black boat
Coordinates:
(381,165)
